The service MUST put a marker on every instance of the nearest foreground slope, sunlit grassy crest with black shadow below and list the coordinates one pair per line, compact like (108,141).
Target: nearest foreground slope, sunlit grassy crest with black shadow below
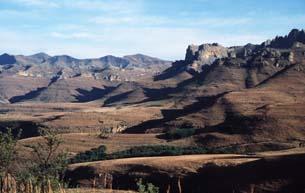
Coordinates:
(198,173)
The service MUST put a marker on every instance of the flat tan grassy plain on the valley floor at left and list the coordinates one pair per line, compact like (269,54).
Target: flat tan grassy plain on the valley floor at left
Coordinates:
(78,117)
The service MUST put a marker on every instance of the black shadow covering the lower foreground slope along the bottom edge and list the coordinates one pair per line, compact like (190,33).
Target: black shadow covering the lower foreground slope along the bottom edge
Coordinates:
(271,174)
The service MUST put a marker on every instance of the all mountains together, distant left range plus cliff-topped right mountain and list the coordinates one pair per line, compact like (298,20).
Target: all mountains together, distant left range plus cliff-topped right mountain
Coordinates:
(247,98)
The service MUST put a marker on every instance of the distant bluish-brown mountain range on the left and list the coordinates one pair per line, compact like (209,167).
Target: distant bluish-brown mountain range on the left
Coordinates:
(45,78)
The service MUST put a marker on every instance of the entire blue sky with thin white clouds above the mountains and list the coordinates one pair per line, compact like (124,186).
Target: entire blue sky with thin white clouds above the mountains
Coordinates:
(159,28)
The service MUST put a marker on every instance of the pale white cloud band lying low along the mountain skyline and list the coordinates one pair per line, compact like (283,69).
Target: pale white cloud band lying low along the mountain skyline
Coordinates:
(167,43)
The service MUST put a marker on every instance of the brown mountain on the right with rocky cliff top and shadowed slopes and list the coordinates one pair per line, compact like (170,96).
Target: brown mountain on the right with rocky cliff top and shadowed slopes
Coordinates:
(248,97)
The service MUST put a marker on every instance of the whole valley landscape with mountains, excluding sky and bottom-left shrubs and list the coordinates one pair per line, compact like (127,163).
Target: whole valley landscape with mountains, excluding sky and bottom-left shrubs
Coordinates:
(233,115)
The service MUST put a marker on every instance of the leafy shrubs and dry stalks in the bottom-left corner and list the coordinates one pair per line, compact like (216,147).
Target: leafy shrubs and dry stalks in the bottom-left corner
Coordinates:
(44,175)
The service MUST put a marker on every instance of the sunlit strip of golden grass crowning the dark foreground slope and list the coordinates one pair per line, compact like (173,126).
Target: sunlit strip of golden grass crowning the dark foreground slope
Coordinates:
(172,164)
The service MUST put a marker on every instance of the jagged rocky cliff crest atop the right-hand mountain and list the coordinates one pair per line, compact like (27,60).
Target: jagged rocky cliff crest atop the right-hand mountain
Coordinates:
(274,51)
